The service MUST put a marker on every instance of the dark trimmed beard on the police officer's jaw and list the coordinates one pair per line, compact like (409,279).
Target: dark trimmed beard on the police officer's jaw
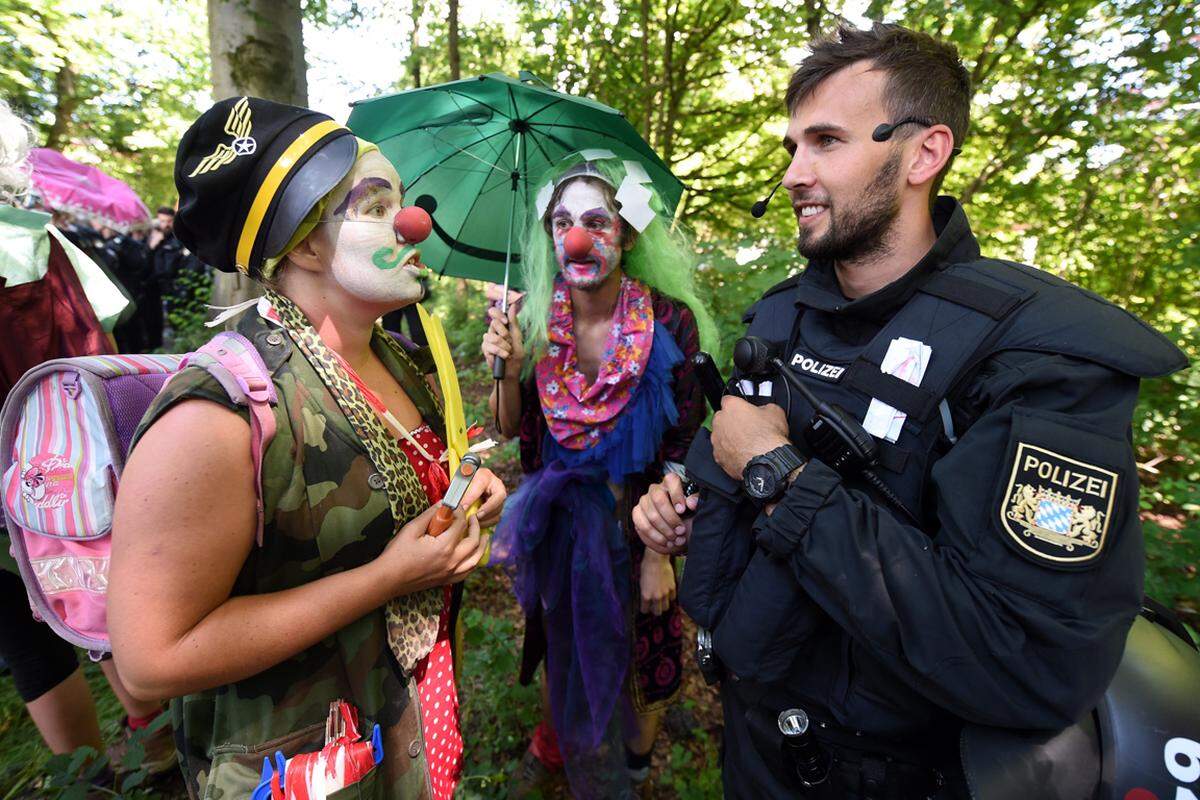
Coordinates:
(865,227)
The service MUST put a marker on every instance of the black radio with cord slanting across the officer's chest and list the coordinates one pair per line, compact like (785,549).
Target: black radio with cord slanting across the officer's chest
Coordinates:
(837,438)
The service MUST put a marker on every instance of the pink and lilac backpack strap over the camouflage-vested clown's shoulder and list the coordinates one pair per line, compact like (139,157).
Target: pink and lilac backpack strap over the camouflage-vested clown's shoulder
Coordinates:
(237,365)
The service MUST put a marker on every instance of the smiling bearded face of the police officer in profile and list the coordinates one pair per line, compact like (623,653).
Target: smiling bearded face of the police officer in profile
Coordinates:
(845,188)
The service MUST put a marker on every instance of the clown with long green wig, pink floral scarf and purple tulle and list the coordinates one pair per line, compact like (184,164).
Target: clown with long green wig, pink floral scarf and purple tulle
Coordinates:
(601,390)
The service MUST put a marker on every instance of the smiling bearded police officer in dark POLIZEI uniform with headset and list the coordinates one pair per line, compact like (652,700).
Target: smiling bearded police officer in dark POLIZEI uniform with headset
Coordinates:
(994,579)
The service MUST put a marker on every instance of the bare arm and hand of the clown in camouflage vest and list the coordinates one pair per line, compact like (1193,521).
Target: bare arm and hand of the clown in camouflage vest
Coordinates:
(184,526)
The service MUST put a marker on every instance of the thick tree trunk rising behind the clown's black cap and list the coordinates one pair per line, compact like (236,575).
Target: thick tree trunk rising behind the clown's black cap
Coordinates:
(257,49)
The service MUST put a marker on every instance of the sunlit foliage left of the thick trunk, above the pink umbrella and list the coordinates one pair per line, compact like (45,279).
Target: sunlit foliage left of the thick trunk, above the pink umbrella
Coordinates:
(111,85)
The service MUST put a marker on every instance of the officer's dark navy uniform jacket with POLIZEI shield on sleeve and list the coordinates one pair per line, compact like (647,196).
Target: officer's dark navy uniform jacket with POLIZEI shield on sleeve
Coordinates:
(872,624)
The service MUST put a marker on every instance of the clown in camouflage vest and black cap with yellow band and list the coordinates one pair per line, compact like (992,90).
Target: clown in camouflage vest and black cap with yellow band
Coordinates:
(340,594)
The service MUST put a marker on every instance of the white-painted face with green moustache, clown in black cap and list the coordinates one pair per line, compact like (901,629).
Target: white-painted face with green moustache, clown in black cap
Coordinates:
(370,260)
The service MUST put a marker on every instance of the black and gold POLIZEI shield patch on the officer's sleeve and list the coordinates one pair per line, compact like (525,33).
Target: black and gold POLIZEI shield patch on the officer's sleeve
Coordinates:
(1058,509)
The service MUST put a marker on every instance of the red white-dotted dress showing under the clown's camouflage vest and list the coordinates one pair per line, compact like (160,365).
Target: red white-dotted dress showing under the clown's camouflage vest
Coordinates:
(435,673)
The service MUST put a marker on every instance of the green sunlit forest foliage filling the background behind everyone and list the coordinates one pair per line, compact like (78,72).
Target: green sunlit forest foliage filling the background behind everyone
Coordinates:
(1083,159)
